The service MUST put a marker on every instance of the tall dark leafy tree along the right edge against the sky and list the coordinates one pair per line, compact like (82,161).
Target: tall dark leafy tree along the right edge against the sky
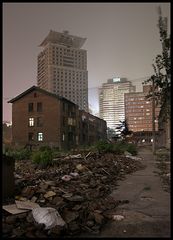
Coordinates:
(162,70)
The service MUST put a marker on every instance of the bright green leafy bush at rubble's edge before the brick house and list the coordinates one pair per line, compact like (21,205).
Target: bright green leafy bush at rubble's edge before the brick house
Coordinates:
(42,158)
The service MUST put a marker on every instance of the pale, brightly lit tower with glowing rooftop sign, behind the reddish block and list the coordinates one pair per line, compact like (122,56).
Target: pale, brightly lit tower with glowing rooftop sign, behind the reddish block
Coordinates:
(111,100)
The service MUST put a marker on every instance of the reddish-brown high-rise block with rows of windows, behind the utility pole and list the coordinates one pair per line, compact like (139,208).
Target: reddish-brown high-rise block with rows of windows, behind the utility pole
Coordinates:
(139,111)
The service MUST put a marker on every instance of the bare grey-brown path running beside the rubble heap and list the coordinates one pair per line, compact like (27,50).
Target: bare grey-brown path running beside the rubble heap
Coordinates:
(148,212)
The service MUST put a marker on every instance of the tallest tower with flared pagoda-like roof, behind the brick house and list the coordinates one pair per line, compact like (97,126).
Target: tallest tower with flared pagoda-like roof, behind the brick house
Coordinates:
(62,67)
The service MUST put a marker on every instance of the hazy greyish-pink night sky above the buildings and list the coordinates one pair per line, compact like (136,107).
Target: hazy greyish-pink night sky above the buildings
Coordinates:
(122,40)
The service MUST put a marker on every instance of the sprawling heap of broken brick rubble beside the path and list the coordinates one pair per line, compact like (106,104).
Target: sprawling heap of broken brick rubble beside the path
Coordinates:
(77,188)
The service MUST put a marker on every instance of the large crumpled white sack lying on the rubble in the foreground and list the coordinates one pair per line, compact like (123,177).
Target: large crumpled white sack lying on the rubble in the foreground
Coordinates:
(48,216)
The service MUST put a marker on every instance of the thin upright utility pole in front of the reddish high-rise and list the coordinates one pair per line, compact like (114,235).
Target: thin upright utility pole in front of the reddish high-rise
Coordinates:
(153,118)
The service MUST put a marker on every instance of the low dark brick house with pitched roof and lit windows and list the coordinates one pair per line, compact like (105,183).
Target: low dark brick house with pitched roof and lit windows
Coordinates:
(43,118)
